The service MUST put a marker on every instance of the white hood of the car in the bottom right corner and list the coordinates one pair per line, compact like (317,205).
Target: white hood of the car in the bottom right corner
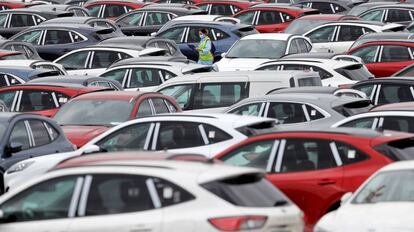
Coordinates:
(376,217)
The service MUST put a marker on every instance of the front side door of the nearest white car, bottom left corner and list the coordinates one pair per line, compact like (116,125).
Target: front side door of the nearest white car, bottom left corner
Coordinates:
(29,211)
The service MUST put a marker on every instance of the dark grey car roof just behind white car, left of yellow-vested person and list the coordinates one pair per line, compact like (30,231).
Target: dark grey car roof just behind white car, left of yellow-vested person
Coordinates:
(169,46)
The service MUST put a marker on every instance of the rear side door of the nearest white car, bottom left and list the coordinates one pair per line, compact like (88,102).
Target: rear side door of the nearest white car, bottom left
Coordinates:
(118,202)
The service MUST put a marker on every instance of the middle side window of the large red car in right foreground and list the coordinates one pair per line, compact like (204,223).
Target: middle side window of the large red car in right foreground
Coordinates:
(307,155)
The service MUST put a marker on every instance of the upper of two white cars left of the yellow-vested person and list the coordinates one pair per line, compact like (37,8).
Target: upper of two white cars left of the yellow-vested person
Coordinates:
(95,59)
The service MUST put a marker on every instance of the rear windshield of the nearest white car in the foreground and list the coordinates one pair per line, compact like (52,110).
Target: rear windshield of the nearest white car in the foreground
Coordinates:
(251,190)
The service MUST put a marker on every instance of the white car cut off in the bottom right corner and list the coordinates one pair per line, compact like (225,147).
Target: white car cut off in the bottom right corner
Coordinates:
(384,203)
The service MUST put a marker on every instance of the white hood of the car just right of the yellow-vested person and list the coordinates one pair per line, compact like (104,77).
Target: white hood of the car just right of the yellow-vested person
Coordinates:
(239,64)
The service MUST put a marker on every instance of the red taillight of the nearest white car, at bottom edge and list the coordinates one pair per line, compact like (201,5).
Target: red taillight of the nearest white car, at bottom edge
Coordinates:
(238,223)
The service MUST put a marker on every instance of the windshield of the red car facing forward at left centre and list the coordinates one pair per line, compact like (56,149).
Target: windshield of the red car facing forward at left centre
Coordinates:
(94,112)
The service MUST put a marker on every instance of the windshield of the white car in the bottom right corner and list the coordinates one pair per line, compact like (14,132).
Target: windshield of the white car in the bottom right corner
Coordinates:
(392,186)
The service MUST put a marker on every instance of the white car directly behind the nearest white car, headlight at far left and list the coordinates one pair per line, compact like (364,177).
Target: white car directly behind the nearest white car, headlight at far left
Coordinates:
(178,133)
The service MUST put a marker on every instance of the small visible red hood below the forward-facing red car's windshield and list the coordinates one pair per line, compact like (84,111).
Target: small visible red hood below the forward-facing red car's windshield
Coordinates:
(80,135)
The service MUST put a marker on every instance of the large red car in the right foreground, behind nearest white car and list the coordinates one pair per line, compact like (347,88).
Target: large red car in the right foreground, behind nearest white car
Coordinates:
(315,168)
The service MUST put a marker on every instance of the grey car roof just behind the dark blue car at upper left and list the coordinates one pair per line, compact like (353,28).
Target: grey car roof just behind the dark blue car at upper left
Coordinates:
(91,21)
